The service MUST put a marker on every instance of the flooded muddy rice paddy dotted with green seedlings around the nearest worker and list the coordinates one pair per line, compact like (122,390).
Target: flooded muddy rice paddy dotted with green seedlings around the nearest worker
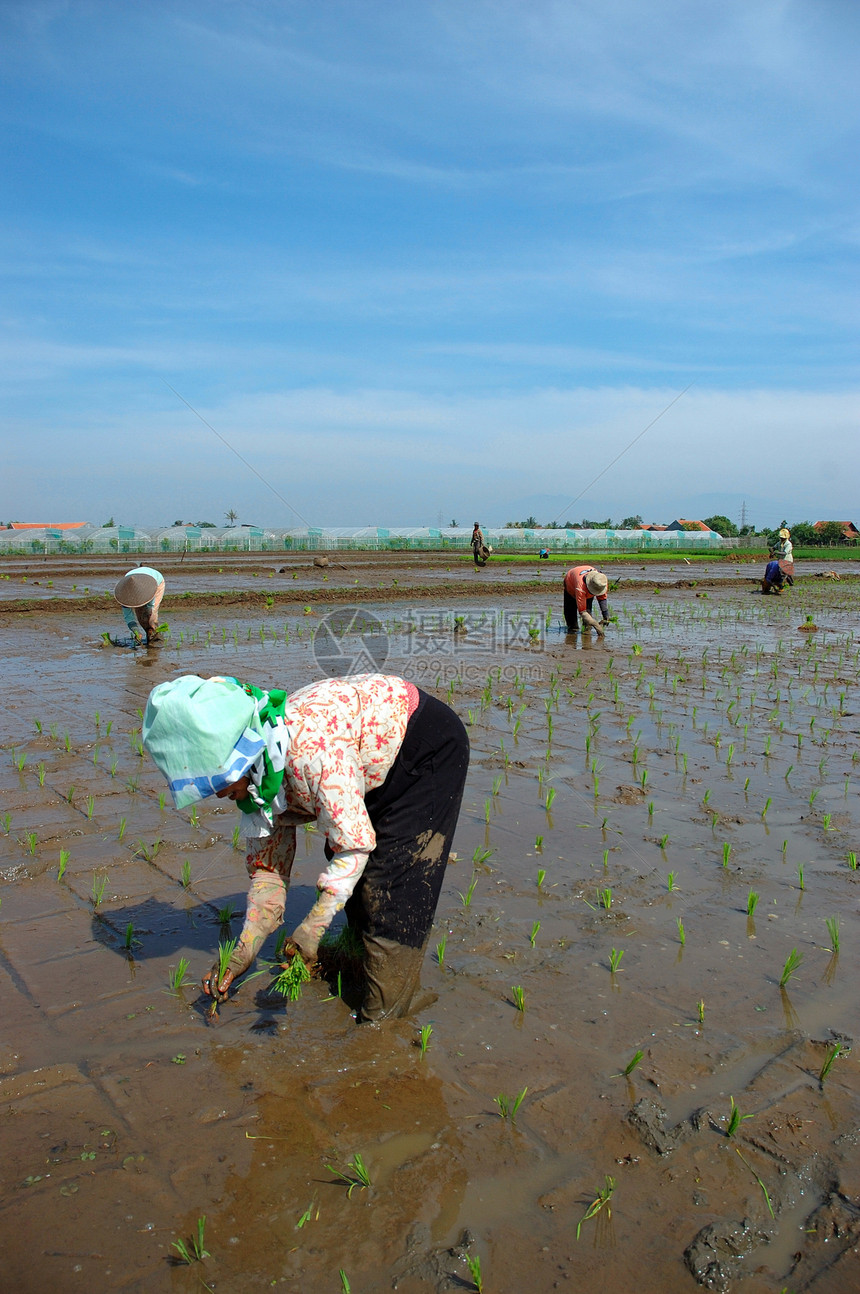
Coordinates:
(704,740)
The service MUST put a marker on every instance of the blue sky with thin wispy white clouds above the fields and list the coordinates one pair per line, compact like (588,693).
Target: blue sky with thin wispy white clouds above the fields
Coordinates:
(430,259)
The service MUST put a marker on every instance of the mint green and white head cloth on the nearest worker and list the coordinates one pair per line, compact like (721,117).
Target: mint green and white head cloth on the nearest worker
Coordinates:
(208,733)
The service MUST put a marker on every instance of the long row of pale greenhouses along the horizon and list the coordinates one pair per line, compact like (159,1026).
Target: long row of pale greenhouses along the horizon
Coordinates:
(253,539)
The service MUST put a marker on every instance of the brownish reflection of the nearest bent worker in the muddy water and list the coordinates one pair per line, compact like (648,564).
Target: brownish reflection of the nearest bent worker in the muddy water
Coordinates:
(351,1091)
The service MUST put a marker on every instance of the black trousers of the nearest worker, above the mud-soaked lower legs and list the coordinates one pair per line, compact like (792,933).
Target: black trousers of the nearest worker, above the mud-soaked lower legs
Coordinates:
(414,815)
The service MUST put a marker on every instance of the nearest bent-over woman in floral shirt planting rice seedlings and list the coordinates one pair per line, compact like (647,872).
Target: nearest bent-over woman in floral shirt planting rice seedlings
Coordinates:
(378,764)
